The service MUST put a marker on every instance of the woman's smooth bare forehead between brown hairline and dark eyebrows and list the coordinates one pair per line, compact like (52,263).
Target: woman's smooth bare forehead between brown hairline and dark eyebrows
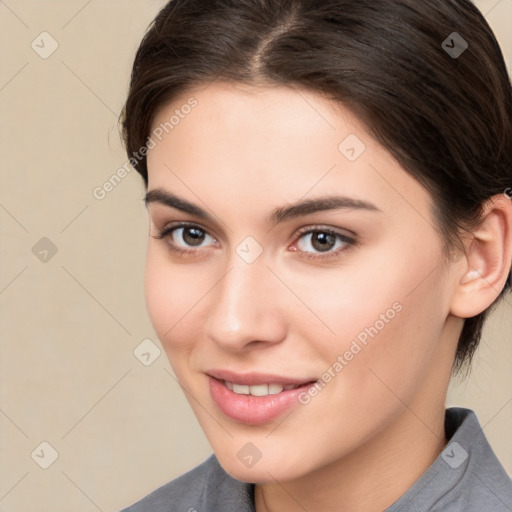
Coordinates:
(267,145)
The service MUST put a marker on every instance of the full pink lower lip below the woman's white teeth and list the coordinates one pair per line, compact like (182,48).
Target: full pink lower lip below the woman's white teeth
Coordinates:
(253,410)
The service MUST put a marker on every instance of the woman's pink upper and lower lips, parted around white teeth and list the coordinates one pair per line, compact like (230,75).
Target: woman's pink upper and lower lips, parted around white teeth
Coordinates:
(254,410)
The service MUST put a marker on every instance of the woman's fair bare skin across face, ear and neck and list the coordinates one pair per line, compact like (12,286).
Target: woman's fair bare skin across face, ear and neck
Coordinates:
(378,424)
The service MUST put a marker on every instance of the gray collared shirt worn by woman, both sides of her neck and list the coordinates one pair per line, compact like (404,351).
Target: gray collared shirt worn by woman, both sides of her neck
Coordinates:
(466,477)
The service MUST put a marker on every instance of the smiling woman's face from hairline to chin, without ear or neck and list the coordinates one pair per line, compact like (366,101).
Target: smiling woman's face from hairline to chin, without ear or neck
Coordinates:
(310,255)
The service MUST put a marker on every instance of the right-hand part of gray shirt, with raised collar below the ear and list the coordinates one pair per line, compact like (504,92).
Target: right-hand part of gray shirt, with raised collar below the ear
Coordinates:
(467,475)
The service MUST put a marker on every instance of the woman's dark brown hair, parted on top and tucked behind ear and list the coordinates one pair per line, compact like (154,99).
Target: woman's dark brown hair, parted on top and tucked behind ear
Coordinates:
(446,117)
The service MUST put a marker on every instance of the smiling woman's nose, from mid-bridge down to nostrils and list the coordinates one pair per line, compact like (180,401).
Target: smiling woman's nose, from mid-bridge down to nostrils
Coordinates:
(245,309)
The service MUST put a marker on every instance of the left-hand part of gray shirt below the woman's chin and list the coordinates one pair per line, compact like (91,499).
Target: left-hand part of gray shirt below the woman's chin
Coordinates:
(205,487)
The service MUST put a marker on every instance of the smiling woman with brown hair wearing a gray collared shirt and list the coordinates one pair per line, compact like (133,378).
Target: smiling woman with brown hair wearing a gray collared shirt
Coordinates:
(330,224)
